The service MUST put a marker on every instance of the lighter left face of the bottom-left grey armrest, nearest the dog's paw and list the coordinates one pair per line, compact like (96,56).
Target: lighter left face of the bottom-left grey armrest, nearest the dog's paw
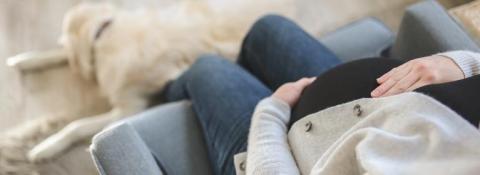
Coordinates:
(117,149)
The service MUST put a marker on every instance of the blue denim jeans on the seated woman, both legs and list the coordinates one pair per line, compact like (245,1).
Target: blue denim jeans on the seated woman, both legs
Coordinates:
(224,94)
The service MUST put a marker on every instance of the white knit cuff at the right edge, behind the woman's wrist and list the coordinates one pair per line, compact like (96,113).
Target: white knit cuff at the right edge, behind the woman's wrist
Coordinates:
(468,61)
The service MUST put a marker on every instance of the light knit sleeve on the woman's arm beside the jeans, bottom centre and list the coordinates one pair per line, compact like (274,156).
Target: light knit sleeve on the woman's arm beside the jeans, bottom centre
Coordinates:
(268,150)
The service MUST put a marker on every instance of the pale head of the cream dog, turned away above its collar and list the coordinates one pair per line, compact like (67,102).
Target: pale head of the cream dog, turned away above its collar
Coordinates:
(82,26)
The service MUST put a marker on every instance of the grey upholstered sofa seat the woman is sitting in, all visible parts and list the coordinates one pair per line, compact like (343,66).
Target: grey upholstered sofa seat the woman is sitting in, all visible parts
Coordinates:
(167,139)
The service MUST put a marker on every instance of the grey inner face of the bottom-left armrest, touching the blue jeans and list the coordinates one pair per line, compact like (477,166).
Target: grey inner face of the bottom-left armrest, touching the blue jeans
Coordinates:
(175,137)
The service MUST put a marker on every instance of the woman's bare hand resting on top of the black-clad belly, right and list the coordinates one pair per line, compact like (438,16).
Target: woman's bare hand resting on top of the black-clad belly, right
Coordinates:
(417,73)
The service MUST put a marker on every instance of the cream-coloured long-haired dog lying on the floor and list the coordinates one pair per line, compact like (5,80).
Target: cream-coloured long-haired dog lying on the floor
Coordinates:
(132,54)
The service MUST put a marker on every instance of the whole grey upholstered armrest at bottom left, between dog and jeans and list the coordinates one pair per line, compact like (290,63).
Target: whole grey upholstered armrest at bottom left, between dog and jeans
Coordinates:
(169,133)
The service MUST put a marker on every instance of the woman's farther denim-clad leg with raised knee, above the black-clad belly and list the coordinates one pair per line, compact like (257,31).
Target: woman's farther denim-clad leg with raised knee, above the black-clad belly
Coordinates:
(277,51)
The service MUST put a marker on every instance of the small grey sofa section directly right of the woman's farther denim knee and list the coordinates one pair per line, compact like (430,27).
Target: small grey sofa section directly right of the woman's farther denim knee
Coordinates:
(361,39)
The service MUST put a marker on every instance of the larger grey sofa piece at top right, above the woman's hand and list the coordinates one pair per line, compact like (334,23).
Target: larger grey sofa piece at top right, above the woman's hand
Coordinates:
(428,29)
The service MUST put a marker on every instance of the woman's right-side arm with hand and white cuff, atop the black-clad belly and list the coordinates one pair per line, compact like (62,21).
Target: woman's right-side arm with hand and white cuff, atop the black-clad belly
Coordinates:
(435,69)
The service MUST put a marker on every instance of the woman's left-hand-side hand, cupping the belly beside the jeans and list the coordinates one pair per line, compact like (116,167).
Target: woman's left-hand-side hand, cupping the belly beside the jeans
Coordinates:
(290,92)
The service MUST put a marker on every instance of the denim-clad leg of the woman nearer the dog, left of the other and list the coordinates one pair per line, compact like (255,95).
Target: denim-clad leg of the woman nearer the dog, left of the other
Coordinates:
(223,96)
